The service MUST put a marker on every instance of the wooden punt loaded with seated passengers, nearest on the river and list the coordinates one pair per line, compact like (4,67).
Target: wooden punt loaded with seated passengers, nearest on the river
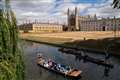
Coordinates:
(72,73)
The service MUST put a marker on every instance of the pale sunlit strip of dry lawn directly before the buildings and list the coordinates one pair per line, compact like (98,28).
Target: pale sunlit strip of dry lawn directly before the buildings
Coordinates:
(78,35)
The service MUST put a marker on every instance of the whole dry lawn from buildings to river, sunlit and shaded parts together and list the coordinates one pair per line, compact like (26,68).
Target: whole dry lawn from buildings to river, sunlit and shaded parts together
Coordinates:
(109,44)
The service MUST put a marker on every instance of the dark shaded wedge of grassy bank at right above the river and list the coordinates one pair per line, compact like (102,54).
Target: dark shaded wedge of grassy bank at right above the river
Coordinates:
(109,45)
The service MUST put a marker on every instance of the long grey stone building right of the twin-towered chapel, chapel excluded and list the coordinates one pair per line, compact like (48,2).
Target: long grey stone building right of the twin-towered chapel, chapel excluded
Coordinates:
(100,24)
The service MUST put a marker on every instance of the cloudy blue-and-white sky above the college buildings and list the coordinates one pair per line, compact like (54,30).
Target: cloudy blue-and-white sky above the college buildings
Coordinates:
(54,11)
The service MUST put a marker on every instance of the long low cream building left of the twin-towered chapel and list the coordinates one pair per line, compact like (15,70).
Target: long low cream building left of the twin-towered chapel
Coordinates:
(40,27)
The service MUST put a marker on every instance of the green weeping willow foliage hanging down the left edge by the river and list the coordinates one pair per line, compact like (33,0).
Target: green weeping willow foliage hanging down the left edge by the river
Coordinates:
(11,64)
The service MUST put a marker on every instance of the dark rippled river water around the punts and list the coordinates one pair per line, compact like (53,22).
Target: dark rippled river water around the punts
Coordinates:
(90,71)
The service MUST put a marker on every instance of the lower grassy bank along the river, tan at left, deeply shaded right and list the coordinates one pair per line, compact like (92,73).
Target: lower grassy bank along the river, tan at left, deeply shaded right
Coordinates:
(111,45)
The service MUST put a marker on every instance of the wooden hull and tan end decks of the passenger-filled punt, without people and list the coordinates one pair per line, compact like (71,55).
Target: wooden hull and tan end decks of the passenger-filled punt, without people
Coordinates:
(74,73)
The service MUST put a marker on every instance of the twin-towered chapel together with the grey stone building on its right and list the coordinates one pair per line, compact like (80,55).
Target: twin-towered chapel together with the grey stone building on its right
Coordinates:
(91,23)
